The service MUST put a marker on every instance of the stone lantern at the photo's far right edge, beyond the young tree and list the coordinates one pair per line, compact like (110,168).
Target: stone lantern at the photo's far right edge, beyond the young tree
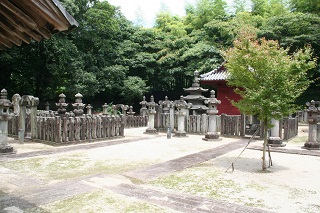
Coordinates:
(313,112)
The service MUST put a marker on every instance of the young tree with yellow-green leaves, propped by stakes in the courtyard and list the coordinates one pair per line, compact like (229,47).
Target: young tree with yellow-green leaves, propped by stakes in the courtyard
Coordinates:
(267,77)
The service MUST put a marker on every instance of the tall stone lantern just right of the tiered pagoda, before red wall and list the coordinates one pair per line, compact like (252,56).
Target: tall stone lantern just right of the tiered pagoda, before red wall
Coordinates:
(212,112)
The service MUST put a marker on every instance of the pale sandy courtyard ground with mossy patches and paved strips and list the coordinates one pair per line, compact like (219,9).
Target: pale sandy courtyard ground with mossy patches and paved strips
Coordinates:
(147,173)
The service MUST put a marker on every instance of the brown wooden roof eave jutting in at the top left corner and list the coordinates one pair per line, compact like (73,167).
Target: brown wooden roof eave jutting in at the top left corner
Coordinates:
(26,20)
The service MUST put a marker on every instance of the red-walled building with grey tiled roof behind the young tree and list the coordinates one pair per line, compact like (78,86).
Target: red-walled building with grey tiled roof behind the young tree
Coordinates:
(218,79)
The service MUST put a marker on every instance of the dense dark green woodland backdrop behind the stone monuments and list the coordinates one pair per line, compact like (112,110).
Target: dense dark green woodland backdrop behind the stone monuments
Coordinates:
(109,59)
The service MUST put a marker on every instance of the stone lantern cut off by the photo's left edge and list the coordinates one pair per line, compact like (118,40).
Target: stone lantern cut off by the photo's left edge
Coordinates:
(5,115)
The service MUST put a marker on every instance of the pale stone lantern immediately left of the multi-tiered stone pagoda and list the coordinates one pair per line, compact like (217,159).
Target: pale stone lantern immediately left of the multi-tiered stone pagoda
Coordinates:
(181,105)
